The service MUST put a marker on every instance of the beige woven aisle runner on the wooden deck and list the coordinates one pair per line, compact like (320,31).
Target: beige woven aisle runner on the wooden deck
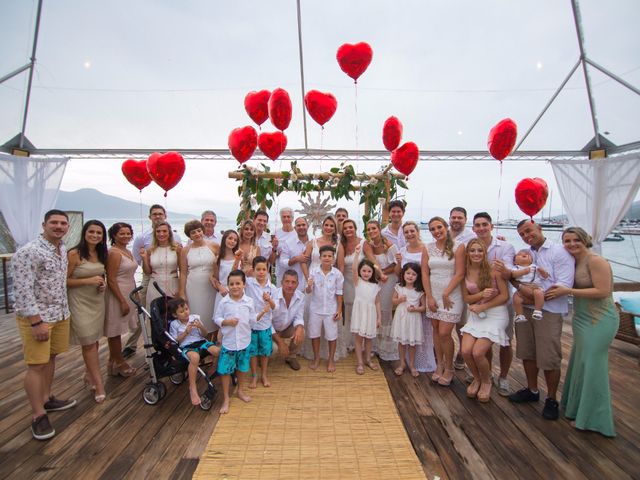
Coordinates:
(312,425)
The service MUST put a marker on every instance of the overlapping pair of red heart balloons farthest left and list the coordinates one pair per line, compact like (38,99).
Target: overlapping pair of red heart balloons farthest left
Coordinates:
(166,169)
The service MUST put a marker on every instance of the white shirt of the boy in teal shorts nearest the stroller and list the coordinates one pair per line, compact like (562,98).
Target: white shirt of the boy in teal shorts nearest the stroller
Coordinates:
(237,337)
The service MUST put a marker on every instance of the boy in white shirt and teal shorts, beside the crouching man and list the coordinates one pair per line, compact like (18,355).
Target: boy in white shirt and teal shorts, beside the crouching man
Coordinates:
(262,292)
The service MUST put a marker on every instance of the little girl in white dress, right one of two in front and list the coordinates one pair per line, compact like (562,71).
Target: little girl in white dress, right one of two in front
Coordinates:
(410,303)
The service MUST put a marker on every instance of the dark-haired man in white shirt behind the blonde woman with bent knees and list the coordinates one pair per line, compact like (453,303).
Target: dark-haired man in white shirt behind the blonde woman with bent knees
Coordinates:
(500,256)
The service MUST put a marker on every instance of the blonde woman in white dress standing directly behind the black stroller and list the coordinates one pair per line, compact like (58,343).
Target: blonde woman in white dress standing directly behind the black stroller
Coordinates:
(160,261)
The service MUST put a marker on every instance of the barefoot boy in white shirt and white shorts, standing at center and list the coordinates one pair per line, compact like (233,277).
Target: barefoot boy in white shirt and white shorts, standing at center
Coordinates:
(325,308)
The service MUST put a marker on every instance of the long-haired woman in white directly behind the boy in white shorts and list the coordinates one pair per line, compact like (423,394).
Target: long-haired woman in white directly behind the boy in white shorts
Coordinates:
(329,236)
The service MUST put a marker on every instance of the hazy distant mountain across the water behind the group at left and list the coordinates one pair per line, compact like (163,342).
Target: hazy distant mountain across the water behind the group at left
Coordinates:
(96,204)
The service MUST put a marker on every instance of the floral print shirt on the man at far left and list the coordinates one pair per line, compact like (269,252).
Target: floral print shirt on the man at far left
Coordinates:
(40,280)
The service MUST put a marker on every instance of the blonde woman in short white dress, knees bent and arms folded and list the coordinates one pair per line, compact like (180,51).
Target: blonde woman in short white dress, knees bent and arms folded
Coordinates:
(486,293)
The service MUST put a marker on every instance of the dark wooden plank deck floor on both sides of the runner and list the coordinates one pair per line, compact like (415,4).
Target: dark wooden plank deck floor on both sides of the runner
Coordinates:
(454,437)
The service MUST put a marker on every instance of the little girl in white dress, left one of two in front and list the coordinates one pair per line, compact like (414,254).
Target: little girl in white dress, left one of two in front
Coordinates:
(366,314)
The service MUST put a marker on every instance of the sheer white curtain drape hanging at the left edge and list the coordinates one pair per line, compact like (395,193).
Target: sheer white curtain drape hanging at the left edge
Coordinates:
(28,188)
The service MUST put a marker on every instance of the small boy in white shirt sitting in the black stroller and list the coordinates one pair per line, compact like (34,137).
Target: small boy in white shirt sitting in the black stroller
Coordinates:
(190,333)
